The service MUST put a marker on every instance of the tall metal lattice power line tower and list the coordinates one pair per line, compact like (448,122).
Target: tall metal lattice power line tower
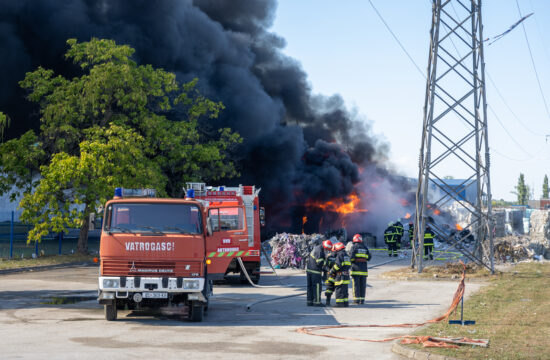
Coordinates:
(454,136)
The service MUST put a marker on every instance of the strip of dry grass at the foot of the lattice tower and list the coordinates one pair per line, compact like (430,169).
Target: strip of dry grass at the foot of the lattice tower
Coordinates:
(445,271)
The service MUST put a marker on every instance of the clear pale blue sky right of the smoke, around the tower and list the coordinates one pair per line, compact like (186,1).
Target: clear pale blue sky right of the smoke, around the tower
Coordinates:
(345,48)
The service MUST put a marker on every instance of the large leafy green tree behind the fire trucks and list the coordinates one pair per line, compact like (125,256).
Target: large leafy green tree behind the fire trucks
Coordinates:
(118,124)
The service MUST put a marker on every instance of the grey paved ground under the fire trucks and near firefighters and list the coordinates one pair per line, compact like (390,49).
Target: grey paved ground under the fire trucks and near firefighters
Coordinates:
(32,326)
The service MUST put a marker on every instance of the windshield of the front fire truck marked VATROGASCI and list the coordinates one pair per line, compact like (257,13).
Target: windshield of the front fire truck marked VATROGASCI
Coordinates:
(155,218)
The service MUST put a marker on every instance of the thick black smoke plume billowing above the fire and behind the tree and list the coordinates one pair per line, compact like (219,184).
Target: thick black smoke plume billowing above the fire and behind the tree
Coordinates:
(297,146)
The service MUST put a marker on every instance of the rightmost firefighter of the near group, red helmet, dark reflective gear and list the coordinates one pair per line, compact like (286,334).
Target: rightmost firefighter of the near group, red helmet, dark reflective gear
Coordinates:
(359,255)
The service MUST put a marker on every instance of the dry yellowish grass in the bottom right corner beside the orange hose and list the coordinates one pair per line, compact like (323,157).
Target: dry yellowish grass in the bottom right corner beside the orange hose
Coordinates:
(513,312)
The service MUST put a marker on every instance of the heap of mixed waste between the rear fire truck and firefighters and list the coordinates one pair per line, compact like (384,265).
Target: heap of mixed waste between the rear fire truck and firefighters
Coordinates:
(291,251)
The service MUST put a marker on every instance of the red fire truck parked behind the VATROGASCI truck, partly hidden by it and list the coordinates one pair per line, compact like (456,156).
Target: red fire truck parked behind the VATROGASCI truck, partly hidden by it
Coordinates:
(235,217)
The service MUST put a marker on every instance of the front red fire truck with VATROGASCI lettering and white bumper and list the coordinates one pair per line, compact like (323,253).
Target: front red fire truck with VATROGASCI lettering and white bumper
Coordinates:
(153,254)
